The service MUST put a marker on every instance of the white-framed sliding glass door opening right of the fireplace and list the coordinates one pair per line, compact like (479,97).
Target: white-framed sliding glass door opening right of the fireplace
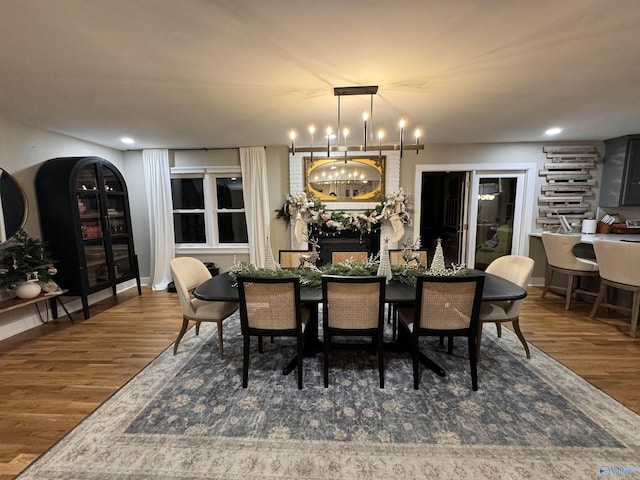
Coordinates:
(478,214)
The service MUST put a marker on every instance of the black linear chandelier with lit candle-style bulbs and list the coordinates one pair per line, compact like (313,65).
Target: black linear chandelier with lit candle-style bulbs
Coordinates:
(337,140)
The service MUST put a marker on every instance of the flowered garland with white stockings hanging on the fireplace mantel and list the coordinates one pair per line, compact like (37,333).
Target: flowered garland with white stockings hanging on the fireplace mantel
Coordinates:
(307,209)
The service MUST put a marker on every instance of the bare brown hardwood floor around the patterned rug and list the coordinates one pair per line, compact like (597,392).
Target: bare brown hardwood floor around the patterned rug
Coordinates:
(54,375)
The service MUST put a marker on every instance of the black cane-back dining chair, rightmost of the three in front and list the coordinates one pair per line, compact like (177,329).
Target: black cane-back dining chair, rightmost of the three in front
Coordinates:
(444,306)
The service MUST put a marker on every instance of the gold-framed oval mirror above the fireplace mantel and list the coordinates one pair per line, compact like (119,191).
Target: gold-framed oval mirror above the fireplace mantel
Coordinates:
(345,179)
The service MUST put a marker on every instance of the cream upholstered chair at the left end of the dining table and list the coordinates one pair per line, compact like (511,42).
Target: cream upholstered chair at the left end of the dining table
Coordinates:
(188,273)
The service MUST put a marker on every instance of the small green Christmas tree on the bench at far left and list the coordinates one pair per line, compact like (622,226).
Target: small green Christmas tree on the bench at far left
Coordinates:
(24,259)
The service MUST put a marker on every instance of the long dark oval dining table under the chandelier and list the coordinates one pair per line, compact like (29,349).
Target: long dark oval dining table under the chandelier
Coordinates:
(222,288)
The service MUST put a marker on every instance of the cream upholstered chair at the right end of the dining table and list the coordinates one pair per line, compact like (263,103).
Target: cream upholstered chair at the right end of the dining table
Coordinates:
(516,269)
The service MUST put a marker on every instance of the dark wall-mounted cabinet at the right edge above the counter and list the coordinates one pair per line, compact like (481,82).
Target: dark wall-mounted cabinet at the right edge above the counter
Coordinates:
(621,173)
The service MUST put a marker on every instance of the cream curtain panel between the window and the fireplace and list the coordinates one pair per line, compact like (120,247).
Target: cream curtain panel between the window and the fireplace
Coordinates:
(253,162)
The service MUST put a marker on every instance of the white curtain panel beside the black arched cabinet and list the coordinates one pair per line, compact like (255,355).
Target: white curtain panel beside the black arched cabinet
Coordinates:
(158,186)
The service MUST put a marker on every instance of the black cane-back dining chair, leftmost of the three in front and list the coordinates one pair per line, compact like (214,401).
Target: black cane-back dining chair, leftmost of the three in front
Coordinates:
(270,306)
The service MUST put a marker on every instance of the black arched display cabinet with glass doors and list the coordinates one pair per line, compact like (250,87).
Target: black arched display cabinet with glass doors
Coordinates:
(86,223)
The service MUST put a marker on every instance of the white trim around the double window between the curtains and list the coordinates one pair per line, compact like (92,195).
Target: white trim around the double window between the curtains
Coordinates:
(208,175)
